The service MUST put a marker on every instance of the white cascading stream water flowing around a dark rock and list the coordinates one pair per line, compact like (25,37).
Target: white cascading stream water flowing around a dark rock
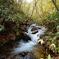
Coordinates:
(28,46)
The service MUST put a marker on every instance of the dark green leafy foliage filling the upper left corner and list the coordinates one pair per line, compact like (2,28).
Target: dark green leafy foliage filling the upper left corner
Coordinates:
(10,11)
